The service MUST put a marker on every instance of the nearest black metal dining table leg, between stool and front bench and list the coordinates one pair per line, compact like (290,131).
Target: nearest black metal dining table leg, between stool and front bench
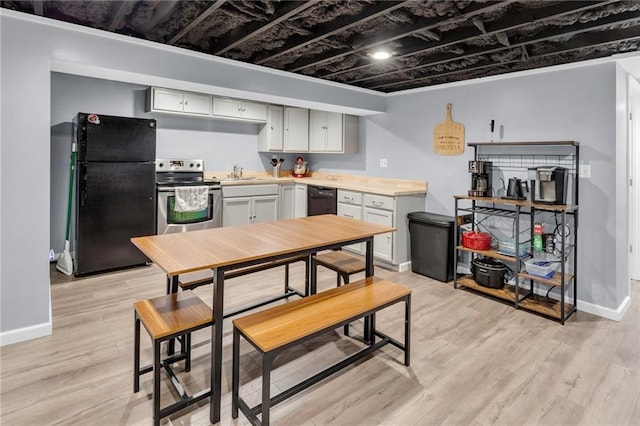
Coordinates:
(216,345)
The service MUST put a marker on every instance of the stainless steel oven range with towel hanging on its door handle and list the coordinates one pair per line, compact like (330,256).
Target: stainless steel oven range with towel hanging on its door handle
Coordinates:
(172,173)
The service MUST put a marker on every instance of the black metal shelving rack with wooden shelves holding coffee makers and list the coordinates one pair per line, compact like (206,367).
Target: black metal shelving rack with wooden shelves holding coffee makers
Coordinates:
(522,296)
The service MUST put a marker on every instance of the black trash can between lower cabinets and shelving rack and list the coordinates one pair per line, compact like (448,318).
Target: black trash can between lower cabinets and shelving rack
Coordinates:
(432,245)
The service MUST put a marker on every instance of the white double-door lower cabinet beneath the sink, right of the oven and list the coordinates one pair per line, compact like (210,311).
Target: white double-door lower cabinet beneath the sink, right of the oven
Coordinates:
(244,204)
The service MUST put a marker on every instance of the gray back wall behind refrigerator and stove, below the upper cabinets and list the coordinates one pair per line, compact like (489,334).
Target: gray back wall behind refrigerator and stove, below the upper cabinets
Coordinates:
(220,143)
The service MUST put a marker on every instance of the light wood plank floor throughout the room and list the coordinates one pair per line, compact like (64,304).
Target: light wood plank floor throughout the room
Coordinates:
(474,361)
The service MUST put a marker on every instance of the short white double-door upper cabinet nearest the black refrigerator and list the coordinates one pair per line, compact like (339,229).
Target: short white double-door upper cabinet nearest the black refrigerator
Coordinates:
(175,101)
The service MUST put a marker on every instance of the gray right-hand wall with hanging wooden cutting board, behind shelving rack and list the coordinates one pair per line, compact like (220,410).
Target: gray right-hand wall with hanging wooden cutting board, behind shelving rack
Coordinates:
(576,104)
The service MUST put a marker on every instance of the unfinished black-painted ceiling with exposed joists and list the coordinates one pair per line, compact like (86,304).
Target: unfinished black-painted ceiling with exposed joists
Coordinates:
(432,42)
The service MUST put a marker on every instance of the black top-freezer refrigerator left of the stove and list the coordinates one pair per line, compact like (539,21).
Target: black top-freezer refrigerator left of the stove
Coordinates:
(115,194)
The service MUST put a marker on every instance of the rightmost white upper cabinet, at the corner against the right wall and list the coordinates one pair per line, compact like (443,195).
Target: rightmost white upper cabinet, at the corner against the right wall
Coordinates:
(332,132)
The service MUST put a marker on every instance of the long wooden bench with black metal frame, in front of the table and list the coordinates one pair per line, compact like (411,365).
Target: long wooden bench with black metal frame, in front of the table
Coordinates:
(275,329)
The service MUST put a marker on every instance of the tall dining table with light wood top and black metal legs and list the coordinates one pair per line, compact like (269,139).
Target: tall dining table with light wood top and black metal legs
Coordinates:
(233,247)
